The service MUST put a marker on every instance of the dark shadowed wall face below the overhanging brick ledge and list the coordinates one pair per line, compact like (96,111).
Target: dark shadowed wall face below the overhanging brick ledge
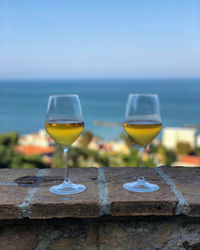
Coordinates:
(178,233)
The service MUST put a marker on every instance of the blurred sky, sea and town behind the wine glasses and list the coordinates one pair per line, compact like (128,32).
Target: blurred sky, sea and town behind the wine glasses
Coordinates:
(101,51)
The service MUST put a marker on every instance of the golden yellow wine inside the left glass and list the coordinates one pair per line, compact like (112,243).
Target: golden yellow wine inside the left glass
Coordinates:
(64,132)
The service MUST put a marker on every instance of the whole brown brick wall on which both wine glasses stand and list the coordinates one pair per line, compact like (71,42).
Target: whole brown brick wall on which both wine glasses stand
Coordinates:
(105,216)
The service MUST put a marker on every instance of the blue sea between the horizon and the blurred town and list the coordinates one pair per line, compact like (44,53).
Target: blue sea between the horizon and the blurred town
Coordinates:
(23,103)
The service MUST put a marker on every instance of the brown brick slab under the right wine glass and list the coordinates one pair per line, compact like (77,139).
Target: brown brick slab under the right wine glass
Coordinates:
(125,203)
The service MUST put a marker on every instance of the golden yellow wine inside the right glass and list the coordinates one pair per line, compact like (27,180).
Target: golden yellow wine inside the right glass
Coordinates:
(142,132)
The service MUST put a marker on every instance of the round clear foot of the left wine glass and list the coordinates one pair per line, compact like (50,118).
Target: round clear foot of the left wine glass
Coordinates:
(67,187)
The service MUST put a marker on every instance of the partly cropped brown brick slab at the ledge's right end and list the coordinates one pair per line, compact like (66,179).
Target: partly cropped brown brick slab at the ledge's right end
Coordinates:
(187,181)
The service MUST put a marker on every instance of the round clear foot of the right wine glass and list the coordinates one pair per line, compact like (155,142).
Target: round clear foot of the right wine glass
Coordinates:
(141,186)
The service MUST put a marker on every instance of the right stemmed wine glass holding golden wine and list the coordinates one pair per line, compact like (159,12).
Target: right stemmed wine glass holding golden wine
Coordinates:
(142,124)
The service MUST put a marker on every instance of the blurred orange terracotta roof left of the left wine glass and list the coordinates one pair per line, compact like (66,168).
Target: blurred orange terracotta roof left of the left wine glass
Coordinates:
(34,150)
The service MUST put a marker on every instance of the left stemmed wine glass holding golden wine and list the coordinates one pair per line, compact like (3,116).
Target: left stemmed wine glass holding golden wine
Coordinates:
(64,124)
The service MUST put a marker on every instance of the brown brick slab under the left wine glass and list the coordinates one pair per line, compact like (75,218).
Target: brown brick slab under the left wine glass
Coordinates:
(86,204)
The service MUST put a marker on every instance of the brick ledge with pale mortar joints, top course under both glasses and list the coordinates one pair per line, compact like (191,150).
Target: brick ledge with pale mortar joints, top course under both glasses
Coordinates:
(178,194)
